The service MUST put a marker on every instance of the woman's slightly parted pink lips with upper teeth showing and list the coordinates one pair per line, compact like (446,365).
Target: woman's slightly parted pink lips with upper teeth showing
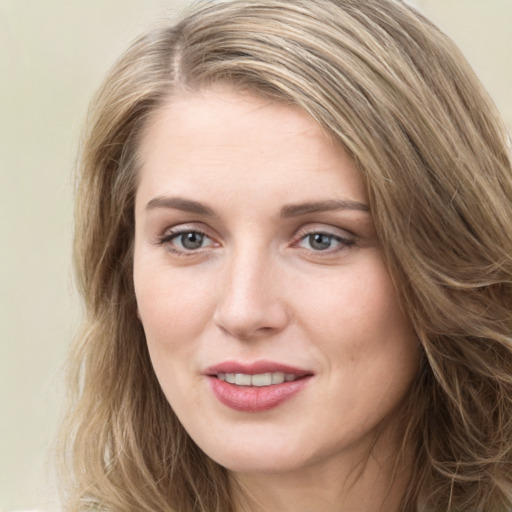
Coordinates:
(257,386)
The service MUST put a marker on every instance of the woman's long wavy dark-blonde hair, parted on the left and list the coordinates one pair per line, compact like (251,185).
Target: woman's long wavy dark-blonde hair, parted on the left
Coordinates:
(396,94)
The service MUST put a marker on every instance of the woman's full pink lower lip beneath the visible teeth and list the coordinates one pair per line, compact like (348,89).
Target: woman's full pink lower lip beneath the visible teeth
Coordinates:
(254,398)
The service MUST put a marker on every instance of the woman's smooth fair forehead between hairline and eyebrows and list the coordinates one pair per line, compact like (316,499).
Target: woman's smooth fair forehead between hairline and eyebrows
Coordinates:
(220,136)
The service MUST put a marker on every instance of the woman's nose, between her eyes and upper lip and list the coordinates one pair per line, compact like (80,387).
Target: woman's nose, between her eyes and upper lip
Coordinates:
(251,303)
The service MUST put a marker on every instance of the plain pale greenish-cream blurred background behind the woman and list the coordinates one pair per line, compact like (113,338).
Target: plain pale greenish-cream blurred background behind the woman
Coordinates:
(53,54)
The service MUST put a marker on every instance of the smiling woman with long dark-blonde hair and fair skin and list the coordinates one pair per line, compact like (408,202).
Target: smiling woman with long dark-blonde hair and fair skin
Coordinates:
(294,245)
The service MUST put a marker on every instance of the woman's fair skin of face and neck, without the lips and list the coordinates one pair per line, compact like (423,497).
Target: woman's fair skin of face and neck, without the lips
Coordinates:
(258,288)
